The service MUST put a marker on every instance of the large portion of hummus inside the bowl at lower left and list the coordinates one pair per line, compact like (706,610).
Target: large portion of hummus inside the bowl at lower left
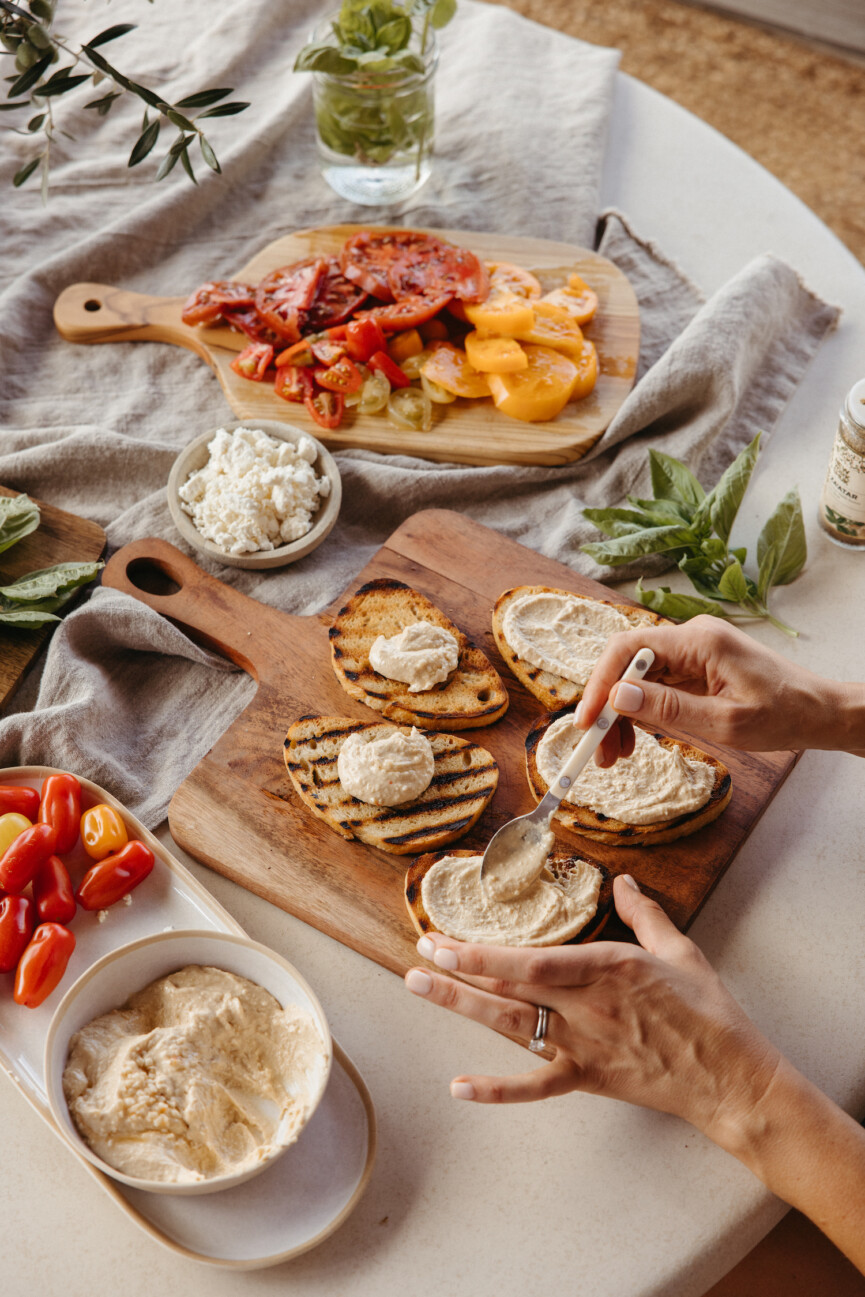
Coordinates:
(200,1075)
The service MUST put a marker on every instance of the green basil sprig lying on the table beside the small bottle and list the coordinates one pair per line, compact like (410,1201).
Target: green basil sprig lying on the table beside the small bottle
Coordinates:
(692,529)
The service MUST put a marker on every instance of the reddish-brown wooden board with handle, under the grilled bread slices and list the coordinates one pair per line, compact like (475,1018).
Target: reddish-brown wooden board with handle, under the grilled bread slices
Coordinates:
(238,811)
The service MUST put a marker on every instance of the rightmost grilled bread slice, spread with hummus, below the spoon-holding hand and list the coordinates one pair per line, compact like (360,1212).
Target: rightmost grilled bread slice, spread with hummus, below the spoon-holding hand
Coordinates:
(601,828)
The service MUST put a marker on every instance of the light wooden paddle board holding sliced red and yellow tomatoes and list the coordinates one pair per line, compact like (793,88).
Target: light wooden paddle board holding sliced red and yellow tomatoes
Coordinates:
(469,433)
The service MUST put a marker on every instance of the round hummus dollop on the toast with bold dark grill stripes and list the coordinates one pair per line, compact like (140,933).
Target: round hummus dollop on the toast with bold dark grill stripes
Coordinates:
(386,770)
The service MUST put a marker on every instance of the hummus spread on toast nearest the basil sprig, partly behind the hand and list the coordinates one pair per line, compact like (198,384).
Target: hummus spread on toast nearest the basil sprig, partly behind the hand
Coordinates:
(562,634)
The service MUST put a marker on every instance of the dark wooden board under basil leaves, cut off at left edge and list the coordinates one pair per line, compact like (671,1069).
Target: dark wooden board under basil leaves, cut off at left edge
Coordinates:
(60,539)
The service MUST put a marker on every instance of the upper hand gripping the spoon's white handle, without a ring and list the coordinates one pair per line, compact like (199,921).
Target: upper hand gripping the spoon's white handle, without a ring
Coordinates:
(714,682)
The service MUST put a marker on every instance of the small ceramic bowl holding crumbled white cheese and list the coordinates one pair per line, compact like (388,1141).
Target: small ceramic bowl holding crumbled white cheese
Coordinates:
(195,457)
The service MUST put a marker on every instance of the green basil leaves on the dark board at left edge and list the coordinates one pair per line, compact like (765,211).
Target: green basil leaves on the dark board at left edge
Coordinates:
(36,600)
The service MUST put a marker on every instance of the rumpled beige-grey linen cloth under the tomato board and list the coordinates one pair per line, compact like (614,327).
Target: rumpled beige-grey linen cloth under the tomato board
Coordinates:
(522,116)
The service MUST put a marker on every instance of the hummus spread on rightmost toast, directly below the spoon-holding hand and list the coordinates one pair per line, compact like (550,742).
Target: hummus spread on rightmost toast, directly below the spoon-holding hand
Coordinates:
(656,784)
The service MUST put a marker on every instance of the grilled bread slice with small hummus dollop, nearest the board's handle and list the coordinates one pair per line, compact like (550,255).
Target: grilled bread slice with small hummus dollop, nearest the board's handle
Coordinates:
(473,696)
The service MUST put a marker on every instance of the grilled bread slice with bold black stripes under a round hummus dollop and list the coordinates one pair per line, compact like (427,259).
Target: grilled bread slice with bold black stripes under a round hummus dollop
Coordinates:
(461,789)
